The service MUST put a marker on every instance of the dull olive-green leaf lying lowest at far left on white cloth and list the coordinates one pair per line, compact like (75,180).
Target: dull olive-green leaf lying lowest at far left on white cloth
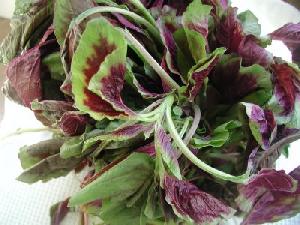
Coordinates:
(50,167)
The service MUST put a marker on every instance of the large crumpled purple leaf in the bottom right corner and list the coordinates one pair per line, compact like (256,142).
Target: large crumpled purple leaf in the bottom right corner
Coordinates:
(270,196)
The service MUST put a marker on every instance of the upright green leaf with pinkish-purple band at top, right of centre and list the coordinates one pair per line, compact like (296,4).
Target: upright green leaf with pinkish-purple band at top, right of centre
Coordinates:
(195,23)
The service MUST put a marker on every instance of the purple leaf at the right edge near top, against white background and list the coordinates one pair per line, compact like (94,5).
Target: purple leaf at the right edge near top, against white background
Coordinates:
(289,34)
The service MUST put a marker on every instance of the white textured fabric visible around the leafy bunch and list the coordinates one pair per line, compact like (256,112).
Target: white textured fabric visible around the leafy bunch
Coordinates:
(22,204)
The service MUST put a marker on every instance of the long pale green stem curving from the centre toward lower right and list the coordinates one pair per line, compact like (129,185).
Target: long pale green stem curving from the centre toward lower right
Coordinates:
(185,151)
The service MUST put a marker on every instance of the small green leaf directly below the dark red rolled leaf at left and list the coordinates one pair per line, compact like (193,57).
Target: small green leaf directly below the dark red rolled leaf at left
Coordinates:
(71,148)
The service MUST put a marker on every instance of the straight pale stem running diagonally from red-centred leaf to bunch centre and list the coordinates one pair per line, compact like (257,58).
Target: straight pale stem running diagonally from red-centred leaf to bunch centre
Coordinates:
(158,69)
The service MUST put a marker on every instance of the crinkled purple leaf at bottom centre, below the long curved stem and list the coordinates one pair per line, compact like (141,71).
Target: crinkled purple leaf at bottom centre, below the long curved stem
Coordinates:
(191,203)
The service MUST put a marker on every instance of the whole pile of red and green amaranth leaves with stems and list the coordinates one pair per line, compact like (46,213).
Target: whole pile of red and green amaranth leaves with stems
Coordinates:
(174,108)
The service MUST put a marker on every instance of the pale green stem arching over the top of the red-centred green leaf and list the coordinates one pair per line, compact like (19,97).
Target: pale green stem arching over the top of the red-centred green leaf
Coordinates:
(107,9)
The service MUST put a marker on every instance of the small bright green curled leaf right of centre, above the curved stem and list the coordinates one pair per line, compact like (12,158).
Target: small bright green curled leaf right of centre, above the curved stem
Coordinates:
(219,137)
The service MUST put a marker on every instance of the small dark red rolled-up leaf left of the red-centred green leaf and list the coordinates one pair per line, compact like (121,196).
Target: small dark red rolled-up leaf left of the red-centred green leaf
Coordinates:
(72,123)
